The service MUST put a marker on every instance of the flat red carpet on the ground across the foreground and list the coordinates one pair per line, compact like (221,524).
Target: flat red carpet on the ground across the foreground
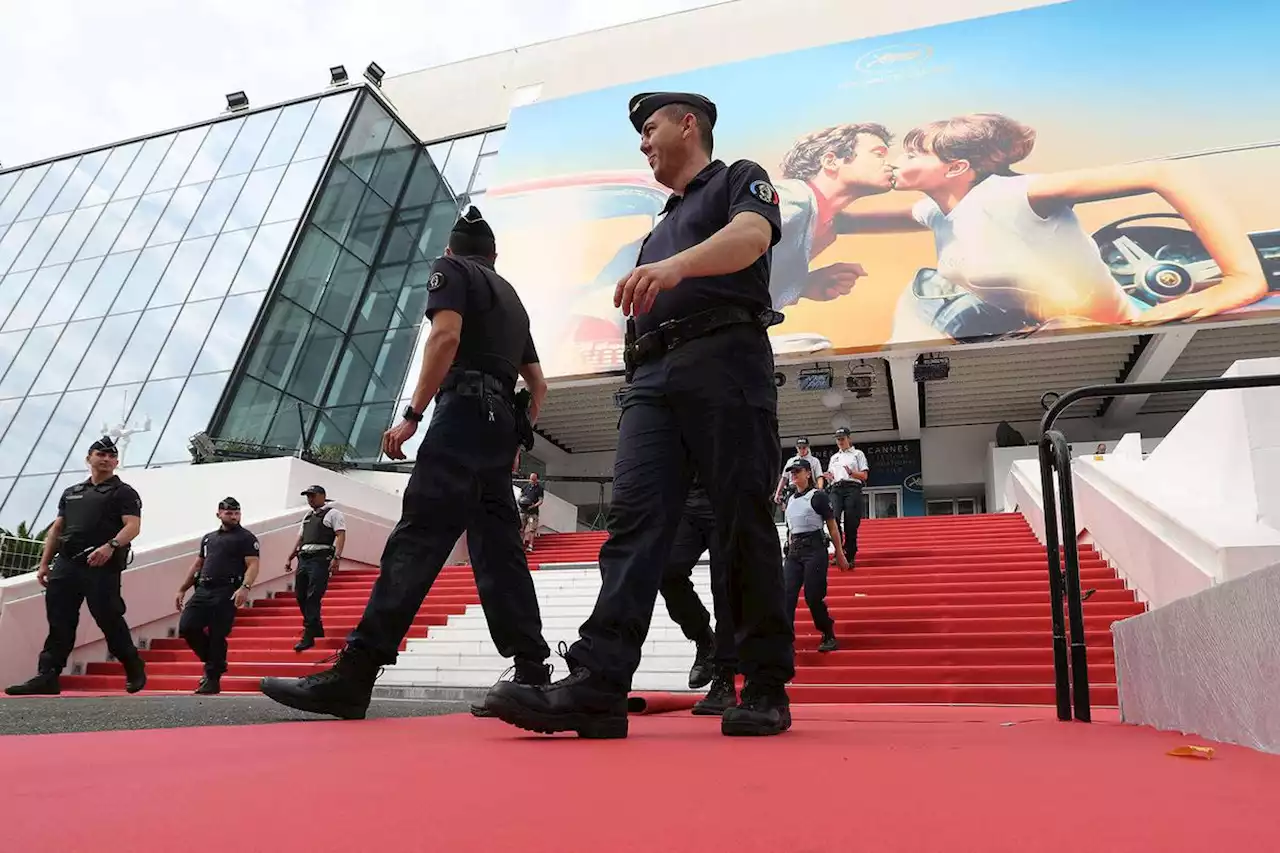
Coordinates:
(876,779)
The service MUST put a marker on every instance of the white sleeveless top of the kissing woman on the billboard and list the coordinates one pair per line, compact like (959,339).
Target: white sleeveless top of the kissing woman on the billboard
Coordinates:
(995,247)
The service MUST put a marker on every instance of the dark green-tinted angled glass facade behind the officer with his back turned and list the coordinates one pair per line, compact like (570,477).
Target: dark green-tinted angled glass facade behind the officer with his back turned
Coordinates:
(340,341)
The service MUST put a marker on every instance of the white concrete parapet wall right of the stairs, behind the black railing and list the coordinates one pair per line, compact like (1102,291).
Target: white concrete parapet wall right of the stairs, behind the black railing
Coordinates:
(1197,512)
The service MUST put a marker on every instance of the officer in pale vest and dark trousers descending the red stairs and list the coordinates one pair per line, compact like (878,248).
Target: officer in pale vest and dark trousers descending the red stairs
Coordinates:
(808,512)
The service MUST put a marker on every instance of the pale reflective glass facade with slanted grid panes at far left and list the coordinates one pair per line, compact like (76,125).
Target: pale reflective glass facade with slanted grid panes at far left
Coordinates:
(131,279)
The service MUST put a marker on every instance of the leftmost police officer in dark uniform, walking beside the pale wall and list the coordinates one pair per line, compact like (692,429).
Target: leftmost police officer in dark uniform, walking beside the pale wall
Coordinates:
(97,522)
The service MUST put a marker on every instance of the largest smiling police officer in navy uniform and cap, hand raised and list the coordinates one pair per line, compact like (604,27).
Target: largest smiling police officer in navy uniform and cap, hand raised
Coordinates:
(702,399)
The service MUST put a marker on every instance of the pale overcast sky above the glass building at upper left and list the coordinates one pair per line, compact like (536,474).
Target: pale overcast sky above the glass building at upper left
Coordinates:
(79,75)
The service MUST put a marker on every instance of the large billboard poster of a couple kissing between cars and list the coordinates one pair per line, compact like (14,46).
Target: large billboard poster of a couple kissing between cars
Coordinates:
(1082,167)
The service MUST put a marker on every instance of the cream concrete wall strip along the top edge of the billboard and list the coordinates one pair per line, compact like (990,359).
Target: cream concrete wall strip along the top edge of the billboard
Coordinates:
(428,101)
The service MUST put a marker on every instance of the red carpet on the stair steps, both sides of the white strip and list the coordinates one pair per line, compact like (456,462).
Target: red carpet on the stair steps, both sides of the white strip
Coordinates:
(940,610)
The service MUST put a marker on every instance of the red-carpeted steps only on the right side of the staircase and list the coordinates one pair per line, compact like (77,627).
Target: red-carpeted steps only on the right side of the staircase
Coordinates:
(953,610)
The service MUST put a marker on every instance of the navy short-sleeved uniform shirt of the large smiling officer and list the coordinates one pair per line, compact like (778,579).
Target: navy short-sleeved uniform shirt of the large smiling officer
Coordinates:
(712,199)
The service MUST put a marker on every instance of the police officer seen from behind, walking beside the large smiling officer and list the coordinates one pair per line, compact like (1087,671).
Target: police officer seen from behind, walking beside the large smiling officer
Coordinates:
(461,481)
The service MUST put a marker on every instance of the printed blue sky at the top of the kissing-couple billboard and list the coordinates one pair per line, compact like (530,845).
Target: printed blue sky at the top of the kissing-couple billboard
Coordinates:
(1103,81)
